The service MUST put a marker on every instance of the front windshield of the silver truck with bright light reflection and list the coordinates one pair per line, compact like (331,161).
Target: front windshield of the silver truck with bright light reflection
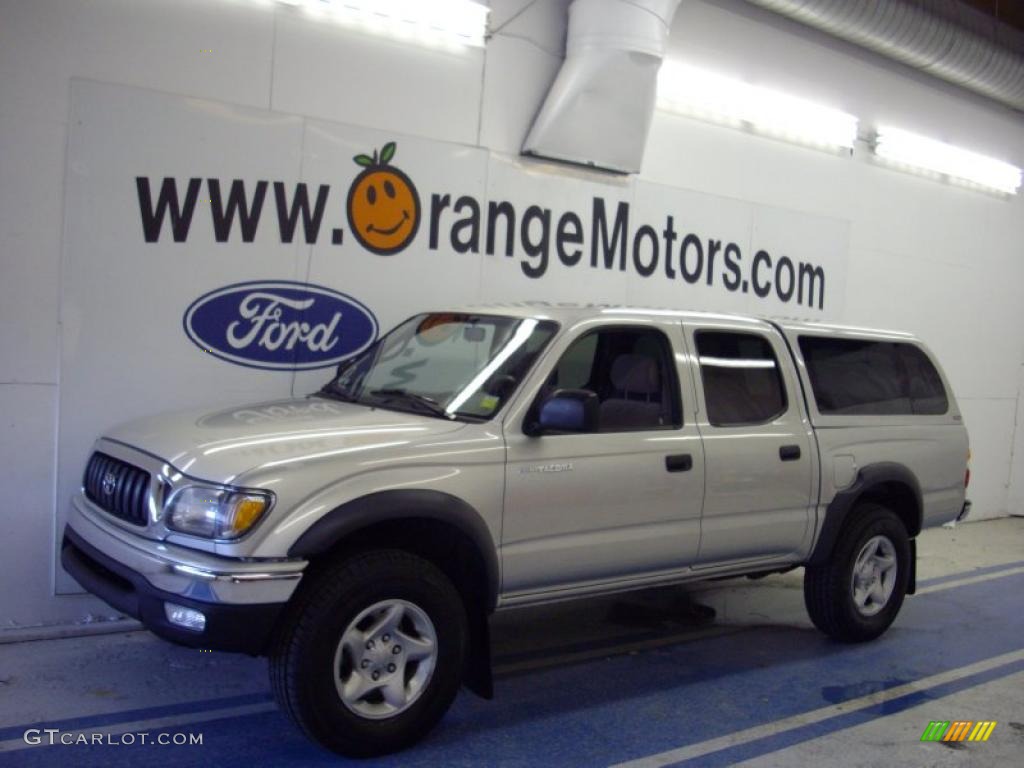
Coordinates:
(446,365)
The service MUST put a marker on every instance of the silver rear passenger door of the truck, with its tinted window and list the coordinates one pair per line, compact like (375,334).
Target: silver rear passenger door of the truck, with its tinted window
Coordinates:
(759,449)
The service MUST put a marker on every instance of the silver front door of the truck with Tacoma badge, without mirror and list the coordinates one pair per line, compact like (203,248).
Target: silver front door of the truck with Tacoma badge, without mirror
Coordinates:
(623,501)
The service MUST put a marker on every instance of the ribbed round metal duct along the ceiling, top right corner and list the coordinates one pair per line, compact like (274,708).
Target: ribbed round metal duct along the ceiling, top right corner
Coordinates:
(944,38)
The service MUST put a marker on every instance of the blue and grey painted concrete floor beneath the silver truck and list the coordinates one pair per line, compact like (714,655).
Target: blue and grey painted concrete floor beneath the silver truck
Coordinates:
(647,679)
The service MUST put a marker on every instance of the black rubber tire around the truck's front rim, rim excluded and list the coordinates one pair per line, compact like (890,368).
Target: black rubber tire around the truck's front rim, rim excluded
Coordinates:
(303,657)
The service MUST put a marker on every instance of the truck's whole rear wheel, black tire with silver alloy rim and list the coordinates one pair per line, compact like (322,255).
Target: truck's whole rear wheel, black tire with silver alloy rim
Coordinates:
(858,594)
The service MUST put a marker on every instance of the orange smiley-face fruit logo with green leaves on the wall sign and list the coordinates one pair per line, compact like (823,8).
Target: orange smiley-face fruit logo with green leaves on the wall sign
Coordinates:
(383,205)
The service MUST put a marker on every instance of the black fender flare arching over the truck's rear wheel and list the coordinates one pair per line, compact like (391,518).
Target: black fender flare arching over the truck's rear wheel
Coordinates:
(886,483)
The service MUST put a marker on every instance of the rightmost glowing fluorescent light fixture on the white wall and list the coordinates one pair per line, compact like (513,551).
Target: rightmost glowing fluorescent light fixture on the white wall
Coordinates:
(913,152)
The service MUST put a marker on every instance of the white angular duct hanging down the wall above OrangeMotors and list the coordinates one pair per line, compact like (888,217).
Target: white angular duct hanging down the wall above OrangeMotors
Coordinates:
(600,110)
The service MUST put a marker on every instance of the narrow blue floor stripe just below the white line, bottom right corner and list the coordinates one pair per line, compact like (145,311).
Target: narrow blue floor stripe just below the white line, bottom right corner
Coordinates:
(784,740)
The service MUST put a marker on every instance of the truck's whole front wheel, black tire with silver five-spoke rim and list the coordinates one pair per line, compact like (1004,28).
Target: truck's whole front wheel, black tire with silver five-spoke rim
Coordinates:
(371,655)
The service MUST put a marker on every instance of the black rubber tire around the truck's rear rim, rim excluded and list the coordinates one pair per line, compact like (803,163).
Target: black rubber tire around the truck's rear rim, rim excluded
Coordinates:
(829,588)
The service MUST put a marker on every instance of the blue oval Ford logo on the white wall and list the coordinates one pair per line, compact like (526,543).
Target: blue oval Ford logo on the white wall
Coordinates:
(280,325)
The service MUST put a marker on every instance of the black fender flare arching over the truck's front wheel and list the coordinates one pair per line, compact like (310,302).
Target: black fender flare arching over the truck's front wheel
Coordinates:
(397,505)
